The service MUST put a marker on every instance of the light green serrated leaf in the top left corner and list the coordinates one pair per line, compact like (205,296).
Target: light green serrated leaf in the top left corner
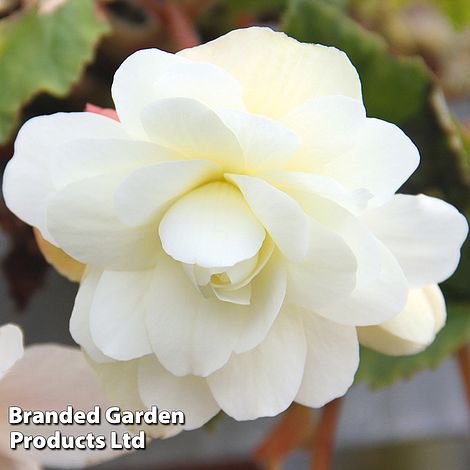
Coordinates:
(44,53)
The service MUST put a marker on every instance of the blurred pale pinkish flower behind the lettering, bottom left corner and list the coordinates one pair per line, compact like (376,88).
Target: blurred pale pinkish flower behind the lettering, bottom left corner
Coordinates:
(48,377)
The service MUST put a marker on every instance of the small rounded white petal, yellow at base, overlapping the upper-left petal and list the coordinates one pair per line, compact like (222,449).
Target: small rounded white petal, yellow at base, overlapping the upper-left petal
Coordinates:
(192,129)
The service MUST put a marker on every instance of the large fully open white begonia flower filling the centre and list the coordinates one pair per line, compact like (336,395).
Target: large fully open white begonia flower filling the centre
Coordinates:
(238,223)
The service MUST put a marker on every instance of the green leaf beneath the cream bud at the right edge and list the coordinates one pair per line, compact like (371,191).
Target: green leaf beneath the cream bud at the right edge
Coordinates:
(379,370)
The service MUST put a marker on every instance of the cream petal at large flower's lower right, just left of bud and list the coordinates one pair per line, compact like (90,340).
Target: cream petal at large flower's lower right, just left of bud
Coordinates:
(332,360)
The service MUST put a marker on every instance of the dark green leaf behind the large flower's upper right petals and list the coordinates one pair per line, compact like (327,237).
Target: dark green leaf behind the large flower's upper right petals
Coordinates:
(393,87)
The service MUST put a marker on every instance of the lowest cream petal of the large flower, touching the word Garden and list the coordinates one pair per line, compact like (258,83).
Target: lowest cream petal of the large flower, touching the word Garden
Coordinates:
(189,394)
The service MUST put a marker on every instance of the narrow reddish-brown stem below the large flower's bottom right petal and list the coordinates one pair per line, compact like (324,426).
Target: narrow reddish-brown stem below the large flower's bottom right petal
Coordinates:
(323,443)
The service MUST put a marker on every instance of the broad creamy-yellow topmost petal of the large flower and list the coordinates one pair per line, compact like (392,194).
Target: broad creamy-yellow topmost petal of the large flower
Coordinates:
(278,73)
